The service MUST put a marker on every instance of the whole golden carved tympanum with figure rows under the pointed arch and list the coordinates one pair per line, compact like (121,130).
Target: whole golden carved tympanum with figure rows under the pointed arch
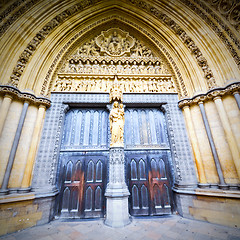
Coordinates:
(94,66)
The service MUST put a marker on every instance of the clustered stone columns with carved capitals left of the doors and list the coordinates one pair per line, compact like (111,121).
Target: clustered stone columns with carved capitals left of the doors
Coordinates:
(12,94)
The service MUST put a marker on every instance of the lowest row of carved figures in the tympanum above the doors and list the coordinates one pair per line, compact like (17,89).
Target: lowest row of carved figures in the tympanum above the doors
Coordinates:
(141,84)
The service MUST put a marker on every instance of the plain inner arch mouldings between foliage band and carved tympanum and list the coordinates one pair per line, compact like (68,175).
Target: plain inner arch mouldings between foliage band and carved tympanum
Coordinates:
(54,46)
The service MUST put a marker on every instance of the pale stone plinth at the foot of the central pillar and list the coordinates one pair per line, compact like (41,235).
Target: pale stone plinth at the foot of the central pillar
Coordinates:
(117,208)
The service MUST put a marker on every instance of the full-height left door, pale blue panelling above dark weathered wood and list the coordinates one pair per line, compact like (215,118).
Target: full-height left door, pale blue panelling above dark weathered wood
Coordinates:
(82,163)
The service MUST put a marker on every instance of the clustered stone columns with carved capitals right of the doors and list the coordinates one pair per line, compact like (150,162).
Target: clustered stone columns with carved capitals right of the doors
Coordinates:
(216,96)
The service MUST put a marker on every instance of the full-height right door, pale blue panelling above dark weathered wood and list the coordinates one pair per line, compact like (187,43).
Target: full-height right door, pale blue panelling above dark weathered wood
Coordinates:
(148,156)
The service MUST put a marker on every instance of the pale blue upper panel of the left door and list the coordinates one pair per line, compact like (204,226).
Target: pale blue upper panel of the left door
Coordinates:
(85,129)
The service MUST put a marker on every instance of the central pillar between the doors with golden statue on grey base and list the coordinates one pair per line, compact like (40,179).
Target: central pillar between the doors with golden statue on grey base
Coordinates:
(116,192)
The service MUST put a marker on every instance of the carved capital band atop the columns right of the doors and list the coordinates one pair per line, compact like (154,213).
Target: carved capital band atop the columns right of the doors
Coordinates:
(212,94)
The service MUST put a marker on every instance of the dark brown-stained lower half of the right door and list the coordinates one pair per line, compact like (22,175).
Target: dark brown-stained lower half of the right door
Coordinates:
(149,184)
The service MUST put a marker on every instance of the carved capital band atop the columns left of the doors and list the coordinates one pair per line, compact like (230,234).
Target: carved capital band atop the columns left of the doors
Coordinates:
(24,96)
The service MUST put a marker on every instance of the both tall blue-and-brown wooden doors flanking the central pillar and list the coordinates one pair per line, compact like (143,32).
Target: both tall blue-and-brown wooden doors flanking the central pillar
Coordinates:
(82,170)
